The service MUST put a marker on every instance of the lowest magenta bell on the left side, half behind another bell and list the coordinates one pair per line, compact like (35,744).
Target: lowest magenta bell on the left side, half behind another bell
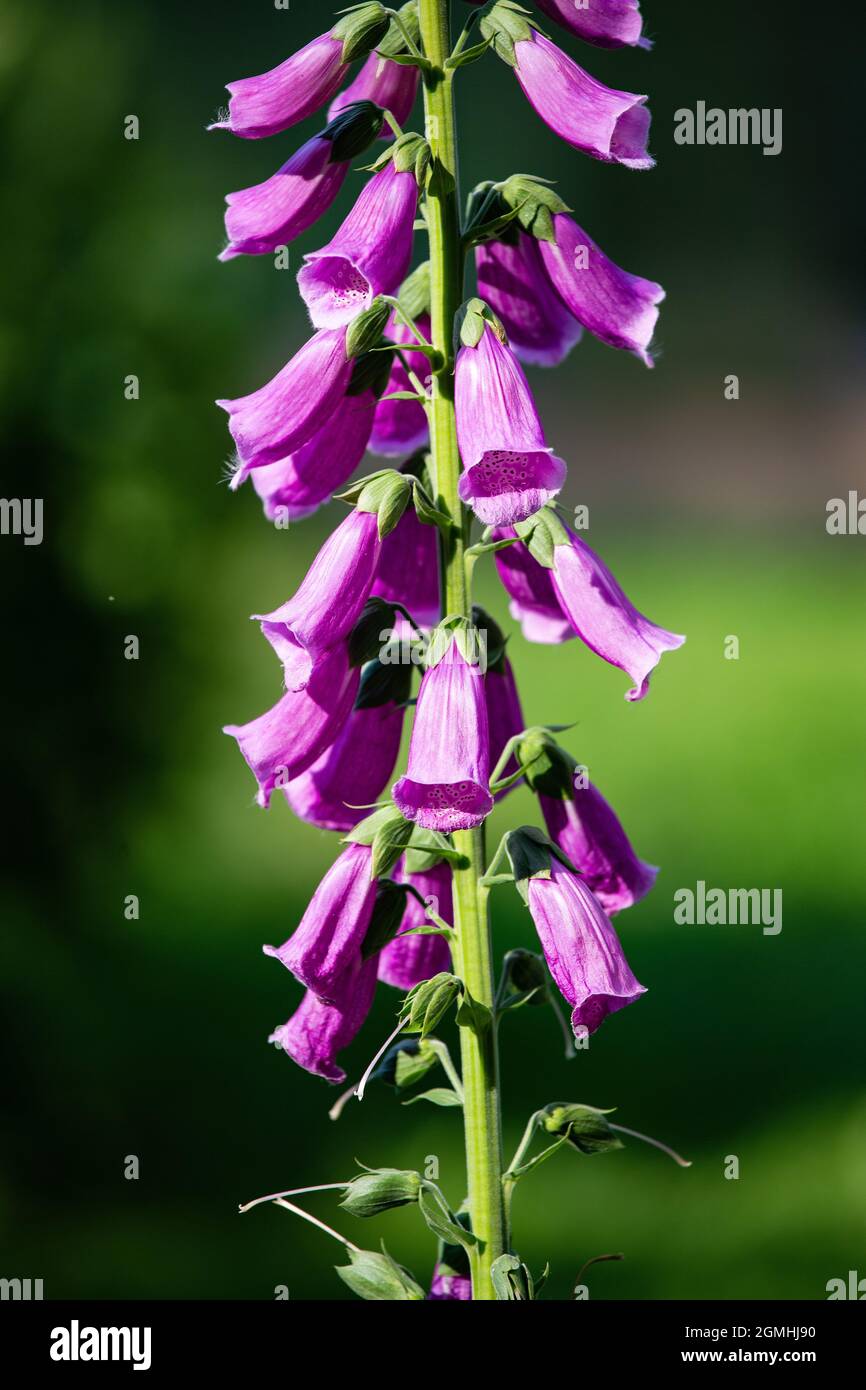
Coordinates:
(318,1032)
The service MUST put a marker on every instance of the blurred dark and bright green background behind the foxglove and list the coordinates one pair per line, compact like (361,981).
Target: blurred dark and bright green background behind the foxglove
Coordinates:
(149,1038)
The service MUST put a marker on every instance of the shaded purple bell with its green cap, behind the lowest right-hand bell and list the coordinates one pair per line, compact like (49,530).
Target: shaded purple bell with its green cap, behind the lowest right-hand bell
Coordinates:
(583,825)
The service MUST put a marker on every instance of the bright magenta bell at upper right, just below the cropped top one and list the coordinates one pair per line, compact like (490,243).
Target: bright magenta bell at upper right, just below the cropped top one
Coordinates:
(611,126)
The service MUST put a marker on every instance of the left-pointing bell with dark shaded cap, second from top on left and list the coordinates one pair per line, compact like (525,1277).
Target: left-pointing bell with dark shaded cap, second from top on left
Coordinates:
(275,213)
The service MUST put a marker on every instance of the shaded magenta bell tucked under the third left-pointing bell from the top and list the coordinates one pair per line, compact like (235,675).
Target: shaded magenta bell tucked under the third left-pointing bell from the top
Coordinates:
(302,483)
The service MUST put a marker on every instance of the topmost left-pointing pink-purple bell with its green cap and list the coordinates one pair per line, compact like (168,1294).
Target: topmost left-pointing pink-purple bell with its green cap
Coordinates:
(300,87)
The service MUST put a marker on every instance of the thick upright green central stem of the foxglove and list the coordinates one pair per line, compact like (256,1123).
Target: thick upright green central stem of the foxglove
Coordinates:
(473,956)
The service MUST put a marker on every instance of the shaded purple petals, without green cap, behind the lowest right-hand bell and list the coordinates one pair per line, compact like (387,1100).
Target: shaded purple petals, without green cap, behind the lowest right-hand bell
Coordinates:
(587,831)
